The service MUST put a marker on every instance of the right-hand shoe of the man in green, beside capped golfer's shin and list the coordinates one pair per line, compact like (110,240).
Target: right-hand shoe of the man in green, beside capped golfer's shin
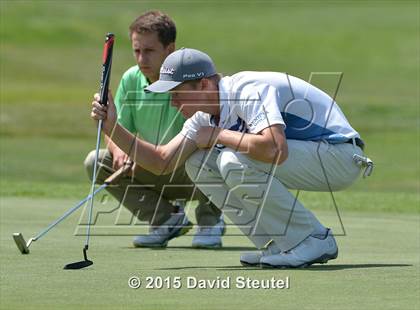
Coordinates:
(209,237)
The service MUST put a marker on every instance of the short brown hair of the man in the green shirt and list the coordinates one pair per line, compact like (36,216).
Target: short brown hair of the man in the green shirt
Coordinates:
(155,21)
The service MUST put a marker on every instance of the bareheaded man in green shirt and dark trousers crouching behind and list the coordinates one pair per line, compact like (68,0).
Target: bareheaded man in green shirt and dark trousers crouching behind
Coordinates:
(148,196)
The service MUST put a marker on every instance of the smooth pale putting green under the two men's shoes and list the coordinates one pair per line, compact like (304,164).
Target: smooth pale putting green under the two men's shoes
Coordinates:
(377,267)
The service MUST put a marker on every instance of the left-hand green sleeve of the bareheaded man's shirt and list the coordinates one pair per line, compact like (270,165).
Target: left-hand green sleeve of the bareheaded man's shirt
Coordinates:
(125,118)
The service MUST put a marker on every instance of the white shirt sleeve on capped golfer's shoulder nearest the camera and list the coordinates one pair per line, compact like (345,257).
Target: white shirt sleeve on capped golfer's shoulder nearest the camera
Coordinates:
(259,107)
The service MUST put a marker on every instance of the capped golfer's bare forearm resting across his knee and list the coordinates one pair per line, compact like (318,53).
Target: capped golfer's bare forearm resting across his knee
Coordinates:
(255,146)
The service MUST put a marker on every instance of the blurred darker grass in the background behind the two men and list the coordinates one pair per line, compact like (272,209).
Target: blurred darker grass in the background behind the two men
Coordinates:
(50,61)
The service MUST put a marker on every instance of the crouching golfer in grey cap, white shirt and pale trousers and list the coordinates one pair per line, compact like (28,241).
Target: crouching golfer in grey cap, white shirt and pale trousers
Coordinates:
(258,134)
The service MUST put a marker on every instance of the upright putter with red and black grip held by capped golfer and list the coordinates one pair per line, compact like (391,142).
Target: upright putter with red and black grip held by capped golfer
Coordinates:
(105,77)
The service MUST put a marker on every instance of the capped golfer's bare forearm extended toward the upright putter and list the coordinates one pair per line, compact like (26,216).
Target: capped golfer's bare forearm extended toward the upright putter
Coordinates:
(145,154)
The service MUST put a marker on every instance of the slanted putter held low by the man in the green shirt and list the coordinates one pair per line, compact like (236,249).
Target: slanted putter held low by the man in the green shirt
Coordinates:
(23,246)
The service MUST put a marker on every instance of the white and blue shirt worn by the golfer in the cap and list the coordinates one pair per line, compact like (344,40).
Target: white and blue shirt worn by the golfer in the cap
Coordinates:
(253,101)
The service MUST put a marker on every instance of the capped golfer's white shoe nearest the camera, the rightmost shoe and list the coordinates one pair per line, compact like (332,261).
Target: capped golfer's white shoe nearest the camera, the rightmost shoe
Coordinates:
(310,251)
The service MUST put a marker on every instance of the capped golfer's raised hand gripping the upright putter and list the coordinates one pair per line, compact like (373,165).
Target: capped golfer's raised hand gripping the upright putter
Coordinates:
(107,113)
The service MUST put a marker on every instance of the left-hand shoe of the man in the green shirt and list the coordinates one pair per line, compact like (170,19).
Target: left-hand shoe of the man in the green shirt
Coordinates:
(177,225)
